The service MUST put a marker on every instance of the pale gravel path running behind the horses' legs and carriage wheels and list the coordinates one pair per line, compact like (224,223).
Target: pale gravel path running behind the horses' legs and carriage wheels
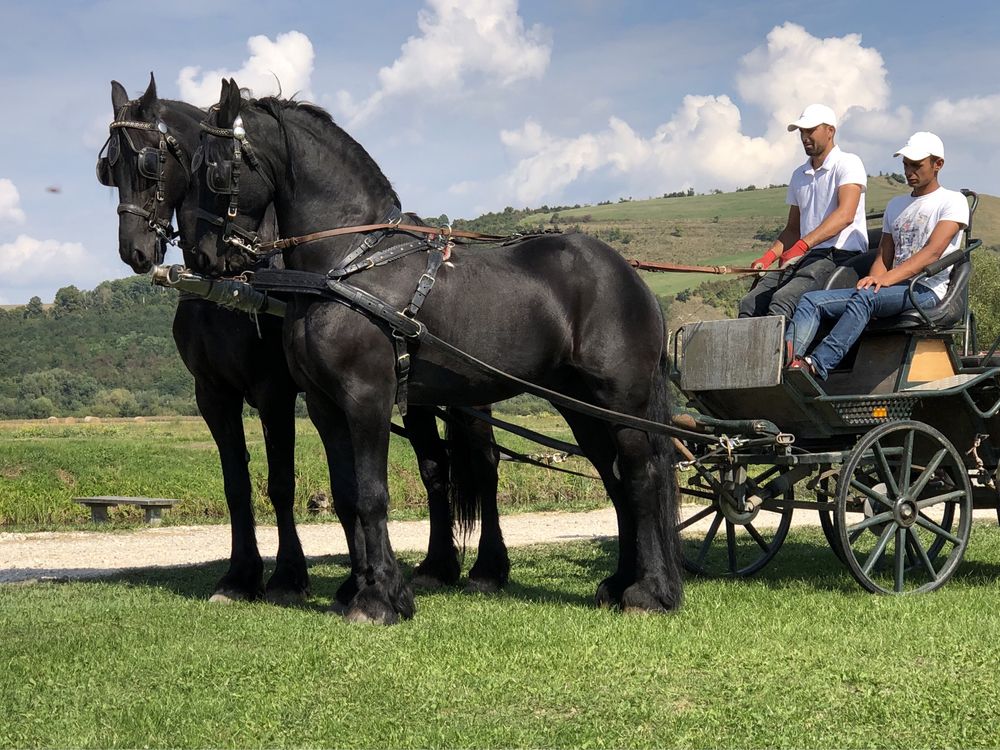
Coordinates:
(85,554)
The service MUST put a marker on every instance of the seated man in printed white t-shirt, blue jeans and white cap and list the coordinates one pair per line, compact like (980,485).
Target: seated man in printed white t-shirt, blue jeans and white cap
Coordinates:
(917,229)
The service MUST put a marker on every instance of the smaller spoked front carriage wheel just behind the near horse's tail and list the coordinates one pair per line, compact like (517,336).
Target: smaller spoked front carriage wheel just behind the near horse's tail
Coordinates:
(726,537)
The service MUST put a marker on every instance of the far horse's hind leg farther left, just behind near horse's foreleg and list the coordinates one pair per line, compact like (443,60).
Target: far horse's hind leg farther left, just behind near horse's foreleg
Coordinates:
(441,566)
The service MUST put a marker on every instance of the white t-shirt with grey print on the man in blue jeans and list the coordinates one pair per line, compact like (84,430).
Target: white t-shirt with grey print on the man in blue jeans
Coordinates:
(911,221)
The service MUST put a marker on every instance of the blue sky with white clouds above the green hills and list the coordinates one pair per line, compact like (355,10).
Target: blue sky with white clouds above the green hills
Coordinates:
(474,105)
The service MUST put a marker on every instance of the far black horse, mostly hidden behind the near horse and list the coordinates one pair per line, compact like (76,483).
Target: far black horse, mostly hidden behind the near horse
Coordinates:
(235,358)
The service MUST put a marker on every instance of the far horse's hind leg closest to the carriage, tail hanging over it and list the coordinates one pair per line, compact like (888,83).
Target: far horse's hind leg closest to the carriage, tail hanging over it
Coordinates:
(474,491)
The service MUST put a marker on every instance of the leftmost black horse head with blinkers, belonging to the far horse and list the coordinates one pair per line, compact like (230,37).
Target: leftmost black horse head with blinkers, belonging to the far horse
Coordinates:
(147,157)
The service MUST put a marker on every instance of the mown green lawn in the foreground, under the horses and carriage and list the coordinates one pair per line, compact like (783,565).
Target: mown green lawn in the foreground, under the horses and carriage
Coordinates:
(798,657)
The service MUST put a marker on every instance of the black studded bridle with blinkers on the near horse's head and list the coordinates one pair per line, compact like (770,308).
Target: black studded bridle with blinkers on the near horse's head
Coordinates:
(223,178)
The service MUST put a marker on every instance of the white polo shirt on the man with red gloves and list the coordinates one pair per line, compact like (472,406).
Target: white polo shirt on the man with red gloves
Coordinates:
(814,191)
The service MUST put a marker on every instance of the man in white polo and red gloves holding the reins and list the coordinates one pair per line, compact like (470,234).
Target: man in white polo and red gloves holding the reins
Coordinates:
(826,219)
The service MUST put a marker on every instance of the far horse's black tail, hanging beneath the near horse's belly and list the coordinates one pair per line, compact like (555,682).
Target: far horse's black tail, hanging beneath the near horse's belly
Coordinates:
(472,465)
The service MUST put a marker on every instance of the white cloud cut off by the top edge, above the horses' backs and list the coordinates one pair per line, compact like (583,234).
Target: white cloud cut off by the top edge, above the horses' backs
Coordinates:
(458,39)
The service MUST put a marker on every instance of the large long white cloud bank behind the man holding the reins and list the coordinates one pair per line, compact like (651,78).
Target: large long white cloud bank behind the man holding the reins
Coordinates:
(703,144)
